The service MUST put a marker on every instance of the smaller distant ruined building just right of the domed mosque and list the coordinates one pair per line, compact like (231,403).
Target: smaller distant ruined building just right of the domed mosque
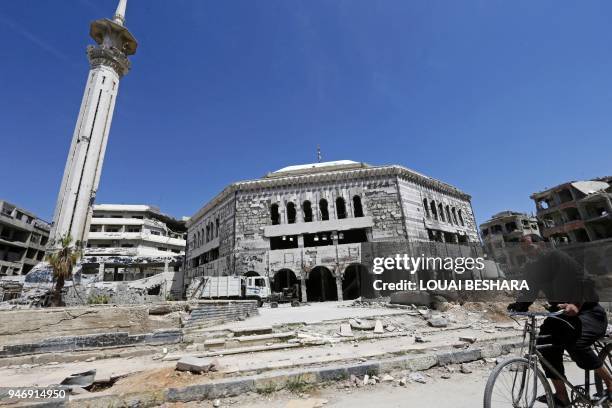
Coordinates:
(501,235)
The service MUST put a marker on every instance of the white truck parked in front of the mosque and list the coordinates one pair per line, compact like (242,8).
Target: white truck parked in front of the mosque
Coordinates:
(234,287)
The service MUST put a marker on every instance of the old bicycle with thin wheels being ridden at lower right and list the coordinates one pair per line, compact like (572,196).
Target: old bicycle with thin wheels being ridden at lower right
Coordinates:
(518,381)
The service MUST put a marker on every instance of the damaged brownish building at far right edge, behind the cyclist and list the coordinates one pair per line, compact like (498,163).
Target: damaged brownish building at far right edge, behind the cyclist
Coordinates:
(577,211)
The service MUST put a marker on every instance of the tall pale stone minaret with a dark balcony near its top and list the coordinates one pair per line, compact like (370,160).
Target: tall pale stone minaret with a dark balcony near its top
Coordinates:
(109,62)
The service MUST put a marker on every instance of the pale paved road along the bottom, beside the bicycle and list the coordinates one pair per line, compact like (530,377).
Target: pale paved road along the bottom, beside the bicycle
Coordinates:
(460,391)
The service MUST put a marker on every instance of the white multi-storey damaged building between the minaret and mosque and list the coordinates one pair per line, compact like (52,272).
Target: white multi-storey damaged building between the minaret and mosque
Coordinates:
(132,242)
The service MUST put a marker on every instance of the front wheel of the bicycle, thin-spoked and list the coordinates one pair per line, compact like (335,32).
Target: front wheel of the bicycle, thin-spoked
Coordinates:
(516,383)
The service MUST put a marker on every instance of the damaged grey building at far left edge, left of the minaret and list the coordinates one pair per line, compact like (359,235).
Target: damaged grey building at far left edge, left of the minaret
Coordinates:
(23,238)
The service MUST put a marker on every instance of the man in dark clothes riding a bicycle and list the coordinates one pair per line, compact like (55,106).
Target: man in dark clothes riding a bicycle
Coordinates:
(565,285)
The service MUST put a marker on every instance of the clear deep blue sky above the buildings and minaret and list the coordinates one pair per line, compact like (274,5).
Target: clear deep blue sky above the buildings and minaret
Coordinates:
(499,98)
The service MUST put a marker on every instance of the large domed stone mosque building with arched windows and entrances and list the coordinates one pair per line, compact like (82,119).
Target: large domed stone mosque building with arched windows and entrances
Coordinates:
(319,225)
